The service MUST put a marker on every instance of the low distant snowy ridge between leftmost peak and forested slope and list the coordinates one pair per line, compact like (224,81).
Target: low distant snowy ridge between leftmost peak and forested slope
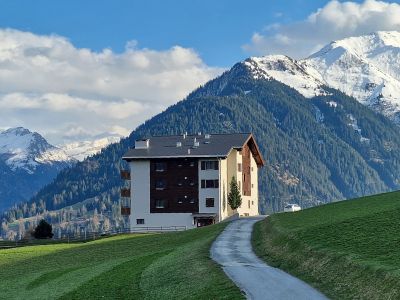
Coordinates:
(81,150)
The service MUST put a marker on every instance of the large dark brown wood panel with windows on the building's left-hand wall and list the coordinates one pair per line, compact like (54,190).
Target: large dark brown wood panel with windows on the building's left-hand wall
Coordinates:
(174,186)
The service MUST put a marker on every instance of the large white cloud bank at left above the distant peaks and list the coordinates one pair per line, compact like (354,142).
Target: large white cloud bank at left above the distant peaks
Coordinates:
(48,85)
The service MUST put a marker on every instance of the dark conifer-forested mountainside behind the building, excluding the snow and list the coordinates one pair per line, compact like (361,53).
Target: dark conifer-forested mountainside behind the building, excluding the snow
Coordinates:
(316,150)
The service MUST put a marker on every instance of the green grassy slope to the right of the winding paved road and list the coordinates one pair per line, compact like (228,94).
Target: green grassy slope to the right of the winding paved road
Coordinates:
(348,250)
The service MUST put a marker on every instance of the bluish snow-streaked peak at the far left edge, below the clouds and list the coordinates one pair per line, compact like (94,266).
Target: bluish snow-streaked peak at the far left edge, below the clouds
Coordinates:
(22,149)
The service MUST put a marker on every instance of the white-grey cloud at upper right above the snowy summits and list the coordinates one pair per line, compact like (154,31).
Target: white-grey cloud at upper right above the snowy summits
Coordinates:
(335,20)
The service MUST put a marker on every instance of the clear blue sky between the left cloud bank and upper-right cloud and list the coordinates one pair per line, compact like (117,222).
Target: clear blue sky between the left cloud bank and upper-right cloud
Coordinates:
(215,29)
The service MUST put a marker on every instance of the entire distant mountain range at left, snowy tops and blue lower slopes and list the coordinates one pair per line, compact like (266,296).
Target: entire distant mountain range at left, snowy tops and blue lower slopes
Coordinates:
(28,162)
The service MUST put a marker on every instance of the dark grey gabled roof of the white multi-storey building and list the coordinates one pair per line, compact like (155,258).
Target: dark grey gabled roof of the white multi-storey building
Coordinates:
(217,145)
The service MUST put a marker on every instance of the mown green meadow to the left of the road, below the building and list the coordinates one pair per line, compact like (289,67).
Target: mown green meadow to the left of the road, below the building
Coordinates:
(165,266)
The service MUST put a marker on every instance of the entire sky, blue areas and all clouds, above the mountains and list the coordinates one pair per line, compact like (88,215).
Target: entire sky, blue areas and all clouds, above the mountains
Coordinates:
(73,70)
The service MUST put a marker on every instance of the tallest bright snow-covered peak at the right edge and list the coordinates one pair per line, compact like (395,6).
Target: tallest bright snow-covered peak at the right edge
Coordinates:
(365,67)
